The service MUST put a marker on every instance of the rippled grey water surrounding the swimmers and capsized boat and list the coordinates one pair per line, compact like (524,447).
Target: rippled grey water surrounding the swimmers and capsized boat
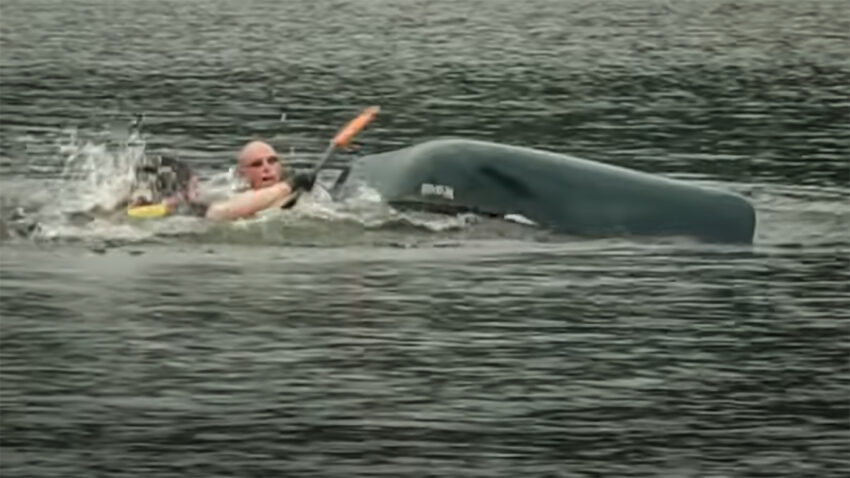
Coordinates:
(360,341)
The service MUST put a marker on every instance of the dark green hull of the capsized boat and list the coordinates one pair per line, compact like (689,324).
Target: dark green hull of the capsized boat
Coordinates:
(564,193)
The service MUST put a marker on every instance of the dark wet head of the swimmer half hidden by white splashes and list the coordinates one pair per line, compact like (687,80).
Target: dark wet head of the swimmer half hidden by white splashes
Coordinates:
(158,177)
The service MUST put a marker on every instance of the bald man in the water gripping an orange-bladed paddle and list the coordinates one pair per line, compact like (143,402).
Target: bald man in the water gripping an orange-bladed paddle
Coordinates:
(259,165)
